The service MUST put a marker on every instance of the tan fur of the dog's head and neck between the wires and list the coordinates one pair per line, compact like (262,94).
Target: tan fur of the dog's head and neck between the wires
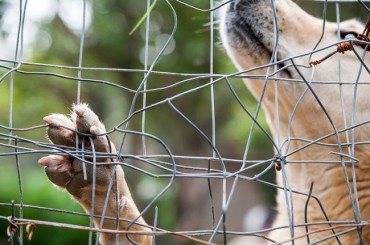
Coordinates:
(298,34)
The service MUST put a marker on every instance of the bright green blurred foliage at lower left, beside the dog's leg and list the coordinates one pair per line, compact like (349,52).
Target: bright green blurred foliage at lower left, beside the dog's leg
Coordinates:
(38,191)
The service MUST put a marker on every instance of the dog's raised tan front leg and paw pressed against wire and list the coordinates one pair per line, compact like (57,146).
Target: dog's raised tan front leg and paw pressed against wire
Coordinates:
(68,173)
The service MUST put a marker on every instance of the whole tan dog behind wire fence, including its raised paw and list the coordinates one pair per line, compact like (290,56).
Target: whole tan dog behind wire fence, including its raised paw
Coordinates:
(321,111)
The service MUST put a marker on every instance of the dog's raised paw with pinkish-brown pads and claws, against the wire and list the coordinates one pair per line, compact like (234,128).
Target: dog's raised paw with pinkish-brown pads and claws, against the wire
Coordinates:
(83,129)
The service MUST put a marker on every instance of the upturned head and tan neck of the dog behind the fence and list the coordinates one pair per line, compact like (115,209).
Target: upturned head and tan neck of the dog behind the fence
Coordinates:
(316,124)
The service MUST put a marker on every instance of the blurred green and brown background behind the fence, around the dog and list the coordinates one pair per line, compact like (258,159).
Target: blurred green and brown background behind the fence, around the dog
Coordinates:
(52,36)
